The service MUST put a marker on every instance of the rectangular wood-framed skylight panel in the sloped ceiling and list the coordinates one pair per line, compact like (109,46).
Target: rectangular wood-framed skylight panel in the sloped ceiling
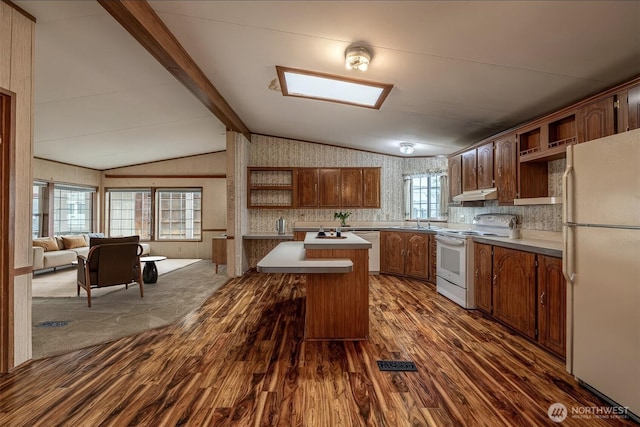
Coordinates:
(327,87)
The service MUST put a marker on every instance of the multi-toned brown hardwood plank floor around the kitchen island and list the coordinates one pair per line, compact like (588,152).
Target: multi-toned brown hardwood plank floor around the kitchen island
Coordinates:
(240,360)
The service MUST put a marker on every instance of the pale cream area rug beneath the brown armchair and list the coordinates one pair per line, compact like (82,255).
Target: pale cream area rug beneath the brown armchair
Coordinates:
(62,283)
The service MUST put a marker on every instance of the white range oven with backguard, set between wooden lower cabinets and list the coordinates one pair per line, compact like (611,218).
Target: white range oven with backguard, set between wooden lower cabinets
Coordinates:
(455,263)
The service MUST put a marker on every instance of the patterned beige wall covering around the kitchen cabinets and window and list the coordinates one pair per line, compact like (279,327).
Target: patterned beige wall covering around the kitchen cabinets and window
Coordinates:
(272,151)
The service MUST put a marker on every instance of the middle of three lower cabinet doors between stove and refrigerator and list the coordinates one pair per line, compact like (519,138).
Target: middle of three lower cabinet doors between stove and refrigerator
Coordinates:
(514,289)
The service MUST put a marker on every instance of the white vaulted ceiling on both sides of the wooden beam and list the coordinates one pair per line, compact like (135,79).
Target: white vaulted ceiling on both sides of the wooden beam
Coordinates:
(461,71)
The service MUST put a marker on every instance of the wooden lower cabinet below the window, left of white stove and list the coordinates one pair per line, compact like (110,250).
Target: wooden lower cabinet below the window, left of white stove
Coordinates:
(407,254)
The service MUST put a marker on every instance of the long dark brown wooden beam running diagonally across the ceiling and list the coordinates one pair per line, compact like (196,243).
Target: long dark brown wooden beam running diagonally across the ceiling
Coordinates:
(142,22)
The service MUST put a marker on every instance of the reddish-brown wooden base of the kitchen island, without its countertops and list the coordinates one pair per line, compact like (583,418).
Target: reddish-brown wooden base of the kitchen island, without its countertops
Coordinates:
(337,305)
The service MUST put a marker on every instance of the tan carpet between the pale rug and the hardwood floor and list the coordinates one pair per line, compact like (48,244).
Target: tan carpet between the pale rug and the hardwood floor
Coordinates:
(64,324)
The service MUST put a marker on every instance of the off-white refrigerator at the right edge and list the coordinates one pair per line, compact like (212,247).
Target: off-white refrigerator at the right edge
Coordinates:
(601,263)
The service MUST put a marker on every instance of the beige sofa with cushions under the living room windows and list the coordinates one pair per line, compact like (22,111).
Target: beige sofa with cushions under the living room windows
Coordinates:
(58,251)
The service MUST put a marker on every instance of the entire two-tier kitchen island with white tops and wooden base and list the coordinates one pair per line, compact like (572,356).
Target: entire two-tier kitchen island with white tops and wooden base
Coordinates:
(337,273)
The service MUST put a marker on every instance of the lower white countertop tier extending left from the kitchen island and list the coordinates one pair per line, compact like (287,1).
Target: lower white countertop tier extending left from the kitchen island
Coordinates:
(289,257)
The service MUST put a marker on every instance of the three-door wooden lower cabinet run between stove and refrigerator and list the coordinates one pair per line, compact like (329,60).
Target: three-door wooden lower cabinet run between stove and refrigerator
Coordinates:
(525,291)
